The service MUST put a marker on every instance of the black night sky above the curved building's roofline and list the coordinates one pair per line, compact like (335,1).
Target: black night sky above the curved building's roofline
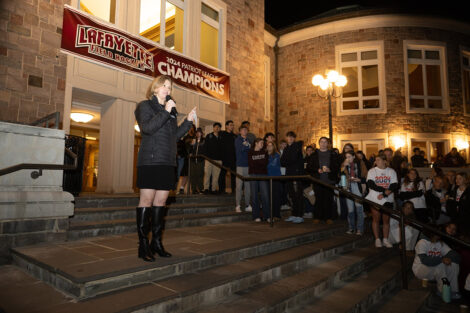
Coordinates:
(283,13)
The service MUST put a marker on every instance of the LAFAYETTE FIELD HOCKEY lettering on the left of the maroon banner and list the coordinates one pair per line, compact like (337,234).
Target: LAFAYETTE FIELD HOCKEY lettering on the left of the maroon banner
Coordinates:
(105,44)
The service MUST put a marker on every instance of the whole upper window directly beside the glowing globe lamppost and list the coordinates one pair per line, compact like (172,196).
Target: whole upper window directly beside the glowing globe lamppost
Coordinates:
(362,64)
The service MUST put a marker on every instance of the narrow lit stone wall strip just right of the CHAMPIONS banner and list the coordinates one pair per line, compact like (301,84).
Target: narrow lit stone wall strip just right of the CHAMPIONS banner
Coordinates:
(245,63)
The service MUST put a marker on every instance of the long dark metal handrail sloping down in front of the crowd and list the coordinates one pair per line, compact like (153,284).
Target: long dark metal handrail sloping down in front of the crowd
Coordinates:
(396,214)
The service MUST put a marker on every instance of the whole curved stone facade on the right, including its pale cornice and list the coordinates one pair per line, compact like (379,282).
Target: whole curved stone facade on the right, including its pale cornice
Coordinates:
(311,49)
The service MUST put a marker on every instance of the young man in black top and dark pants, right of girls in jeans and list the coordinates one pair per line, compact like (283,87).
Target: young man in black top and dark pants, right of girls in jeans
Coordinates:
(292,160)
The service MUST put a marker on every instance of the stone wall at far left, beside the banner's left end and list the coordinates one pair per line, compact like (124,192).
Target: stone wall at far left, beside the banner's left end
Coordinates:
(32,71)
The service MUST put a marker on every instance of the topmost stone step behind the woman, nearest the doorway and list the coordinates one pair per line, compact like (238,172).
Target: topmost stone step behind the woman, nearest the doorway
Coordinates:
(126,200)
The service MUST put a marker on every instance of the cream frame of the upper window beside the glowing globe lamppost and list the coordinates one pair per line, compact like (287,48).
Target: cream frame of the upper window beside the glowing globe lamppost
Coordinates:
(357,48)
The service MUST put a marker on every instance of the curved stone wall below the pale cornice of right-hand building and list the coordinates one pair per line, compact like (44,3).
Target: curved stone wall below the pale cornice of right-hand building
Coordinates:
(305,113)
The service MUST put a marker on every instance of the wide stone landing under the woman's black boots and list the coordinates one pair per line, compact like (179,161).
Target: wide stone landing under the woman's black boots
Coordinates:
(88,268)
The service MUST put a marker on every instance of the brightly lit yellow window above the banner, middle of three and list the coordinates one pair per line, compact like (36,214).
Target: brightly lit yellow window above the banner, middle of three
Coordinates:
(171,34)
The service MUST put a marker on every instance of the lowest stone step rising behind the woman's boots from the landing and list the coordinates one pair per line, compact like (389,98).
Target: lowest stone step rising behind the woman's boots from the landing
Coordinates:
(84,229)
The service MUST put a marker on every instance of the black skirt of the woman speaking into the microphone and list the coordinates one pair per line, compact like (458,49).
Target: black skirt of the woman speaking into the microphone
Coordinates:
(158,177)
